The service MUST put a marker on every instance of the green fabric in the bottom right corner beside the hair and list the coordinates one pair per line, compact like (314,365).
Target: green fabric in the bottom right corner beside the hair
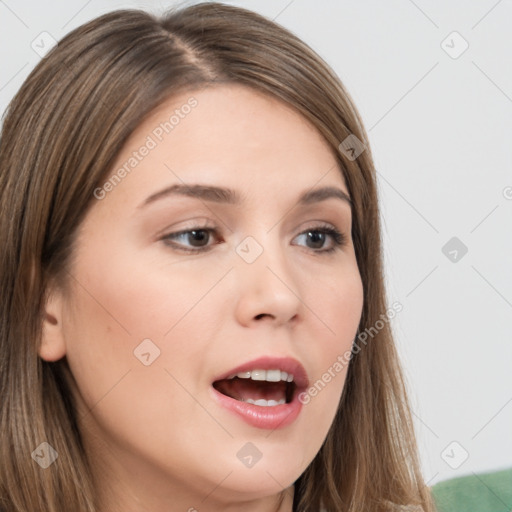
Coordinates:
(488,492)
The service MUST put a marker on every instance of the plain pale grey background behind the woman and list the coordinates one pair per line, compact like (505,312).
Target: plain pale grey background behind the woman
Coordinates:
(440,128)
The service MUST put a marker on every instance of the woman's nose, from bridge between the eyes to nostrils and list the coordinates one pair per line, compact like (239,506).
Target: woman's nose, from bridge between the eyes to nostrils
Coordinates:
(267,287)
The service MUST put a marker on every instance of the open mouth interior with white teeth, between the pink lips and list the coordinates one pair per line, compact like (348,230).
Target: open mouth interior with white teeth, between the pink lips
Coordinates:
(259,387)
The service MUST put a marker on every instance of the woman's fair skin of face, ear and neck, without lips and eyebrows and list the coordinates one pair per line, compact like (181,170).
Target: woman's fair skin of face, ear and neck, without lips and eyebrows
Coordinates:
(157,440)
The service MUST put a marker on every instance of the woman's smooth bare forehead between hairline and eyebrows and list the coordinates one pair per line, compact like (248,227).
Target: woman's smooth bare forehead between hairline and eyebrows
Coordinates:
(228,135)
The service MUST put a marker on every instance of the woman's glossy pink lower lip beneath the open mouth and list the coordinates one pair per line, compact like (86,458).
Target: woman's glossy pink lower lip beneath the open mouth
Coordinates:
(271,417)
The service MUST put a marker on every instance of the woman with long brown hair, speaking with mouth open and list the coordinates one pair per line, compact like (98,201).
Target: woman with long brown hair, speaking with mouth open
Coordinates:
(192,265)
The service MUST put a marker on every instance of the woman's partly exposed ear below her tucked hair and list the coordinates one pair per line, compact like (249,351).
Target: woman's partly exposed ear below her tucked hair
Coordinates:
(53,346)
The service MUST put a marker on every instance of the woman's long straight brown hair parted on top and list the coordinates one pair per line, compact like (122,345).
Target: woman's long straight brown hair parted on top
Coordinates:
(61,134)
